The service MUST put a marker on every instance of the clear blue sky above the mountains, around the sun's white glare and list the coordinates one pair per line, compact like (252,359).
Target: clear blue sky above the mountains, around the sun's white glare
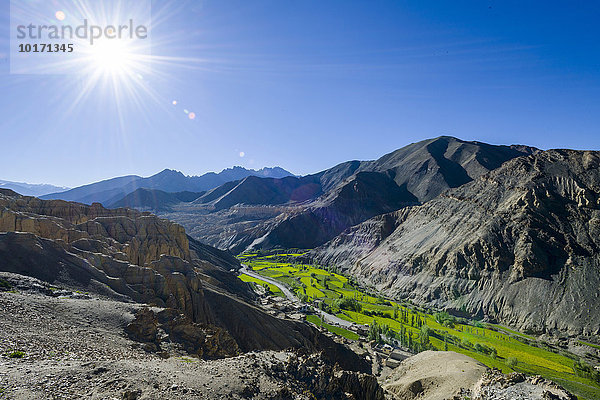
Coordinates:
(308,84)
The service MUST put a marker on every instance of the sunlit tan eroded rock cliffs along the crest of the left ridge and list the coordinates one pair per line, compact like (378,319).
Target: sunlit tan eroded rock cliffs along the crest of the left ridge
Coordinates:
(140,238)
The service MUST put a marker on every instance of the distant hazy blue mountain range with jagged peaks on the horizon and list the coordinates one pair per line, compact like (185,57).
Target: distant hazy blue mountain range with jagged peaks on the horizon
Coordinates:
(114,190)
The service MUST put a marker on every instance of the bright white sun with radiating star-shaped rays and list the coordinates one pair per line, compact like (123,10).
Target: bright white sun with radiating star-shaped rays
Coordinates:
(108,60)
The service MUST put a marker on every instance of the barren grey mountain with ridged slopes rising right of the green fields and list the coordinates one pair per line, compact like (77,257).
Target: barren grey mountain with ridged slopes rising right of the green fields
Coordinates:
(519,245)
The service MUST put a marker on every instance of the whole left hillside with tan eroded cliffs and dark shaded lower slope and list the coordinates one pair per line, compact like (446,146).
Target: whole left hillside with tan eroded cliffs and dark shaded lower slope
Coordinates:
(137,257)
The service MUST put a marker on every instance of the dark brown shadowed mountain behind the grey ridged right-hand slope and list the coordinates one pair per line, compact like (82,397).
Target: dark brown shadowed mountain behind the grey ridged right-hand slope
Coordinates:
(307,212)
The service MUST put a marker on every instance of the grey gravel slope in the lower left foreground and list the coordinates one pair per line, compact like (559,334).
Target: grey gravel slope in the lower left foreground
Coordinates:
(73,346)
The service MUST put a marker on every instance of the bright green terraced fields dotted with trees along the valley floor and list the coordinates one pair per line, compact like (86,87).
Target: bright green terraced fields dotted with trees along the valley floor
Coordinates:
(416,329)
